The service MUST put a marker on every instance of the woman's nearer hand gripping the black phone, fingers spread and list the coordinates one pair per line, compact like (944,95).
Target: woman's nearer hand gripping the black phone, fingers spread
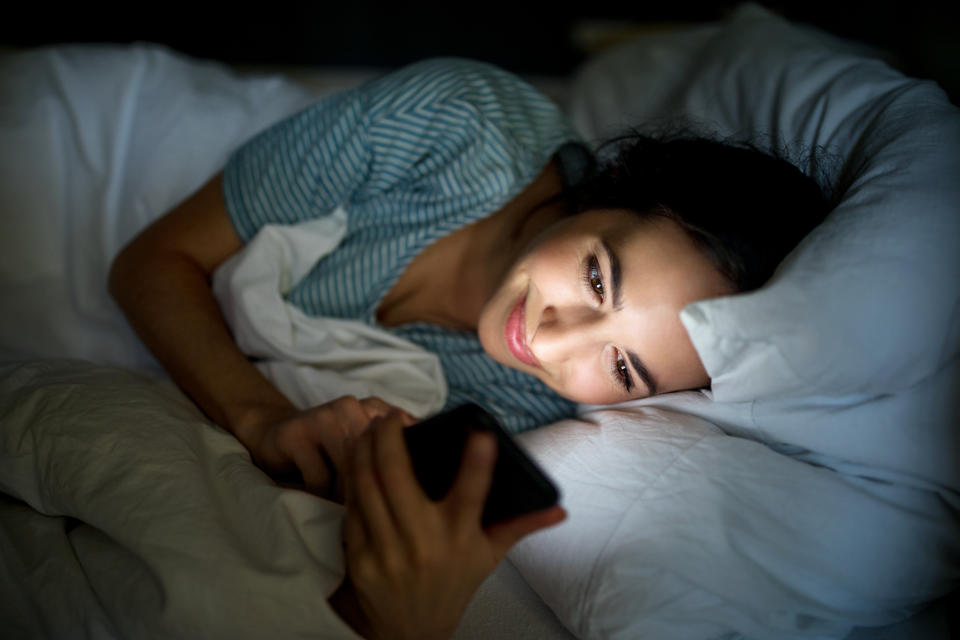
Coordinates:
(413,564)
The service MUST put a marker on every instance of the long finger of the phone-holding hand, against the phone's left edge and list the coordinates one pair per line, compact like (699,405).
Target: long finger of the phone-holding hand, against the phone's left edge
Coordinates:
(404,496)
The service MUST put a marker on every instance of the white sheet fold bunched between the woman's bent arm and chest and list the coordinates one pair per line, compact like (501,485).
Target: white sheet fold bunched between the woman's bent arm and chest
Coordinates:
(315,359)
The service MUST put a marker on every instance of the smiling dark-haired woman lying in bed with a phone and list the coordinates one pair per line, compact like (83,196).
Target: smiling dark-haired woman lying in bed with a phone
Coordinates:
(478,230)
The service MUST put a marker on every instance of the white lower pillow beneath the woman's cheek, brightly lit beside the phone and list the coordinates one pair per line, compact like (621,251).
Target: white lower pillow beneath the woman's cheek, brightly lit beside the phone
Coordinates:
(676,530)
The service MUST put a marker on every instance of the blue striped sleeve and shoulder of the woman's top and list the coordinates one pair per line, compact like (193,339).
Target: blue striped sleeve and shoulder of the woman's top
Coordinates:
(444,128)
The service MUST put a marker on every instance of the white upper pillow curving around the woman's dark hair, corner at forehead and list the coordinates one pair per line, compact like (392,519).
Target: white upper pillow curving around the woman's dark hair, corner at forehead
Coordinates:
(870,301)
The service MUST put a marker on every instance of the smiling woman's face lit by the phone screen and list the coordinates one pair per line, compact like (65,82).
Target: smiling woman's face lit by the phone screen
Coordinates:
(592,308)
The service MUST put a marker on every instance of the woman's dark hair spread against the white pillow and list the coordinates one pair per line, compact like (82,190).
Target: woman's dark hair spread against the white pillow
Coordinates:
(746,209)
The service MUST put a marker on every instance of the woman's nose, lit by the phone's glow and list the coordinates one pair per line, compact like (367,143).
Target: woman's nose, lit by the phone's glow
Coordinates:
(565,332)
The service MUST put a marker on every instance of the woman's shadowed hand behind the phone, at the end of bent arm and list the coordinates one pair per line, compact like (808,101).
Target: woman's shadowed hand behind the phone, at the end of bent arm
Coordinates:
(312,441)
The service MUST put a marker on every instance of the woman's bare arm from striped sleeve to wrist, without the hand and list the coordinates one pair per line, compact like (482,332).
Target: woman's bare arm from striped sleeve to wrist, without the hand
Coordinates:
(162,282)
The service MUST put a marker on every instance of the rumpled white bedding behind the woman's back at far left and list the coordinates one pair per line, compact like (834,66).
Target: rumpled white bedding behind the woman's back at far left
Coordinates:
(94,141)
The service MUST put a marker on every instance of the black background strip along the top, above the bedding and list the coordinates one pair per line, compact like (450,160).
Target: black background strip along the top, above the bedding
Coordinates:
(922,37)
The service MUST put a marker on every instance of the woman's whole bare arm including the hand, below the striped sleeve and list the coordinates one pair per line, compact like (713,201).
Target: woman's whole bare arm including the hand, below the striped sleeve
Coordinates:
(161,280)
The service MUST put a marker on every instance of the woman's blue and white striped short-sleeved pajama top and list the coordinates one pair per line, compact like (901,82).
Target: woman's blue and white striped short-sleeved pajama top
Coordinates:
(412,156)
